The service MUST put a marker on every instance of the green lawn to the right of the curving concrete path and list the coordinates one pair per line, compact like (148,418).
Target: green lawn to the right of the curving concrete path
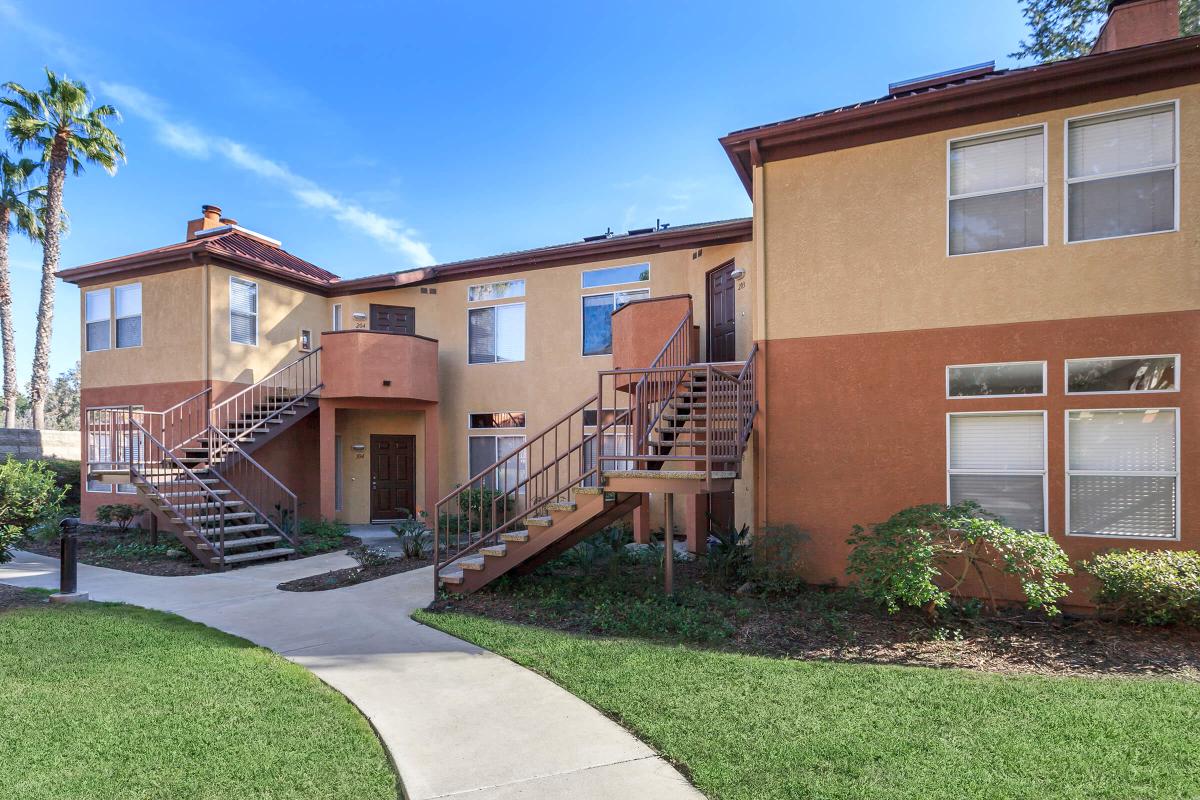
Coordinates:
(764,729)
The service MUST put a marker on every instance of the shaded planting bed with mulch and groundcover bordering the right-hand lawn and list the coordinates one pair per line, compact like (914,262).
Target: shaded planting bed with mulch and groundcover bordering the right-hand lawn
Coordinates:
(821,623)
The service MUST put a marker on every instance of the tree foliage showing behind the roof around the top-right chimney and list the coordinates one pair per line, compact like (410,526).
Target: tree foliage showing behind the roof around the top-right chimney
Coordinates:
(1064,29)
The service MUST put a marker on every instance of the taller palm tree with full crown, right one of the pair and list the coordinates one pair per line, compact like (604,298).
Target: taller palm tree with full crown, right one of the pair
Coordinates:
(63,124)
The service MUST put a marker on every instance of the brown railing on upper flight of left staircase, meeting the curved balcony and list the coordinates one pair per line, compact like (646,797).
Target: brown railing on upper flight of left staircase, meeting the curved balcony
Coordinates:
(244,413)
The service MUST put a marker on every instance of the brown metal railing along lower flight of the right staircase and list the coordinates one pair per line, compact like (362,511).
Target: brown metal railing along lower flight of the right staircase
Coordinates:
(545,470)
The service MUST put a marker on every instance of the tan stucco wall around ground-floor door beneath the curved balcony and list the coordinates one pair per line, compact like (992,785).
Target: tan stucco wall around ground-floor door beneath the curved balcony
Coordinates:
(356,428)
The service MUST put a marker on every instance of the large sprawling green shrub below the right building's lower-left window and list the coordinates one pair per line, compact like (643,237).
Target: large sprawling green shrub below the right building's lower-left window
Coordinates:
(907,561)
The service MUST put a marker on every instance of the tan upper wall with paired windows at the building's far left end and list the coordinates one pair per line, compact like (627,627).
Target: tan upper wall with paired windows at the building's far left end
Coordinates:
(172,334)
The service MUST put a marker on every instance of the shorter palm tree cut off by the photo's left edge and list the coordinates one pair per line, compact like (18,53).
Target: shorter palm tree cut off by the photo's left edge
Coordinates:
(19,213)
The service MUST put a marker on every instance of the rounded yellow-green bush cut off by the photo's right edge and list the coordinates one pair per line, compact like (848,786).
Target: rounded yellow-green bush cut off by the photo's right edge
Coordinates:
(1148,587)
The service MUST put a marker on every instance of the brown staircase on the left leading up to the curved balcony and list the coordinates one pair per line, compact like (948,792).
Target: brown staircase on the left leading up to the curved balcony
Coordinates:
(193,465)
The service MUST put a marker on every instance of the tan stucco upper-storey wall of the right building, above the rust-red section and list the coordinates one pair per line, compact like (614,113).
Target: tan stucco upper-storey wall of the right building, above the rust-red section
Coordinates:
(856,242)
